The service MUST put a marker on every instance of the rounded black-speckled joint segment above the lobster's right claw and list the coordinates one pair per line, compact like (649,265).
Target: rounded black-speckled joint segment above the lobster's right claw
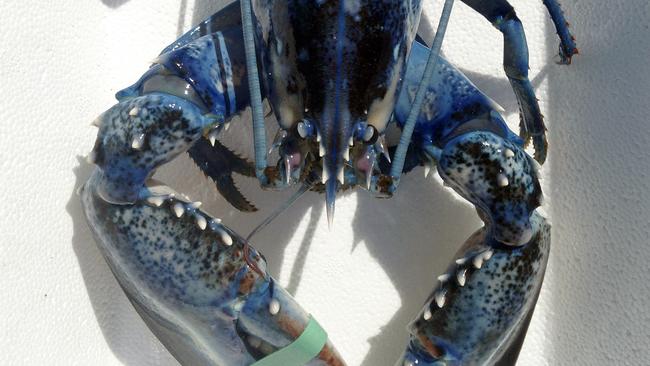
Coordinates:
(476,164)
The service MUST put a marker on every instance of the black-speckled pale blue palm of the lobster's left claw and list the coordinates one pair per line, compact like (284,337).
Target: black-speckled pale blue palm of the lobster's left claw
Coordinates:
(168,257)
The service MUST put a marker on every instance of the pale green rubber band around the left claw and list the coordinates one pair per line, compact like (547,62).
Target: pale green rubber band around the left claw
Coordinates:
(299,352)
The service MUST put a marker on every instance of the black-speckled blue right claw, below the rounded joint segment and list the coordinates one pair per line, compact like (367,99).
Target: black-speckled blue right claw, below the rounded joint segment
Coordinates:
(477,317)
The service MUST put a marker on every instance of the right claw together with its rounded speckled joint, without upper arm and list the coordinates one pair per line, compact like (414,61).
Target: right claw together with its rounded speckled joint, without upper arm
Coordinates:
(479,311)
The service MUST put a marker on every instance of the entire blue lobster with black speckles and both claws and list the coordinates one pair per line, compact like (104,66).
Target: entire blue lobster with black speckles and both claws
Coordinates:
(338,74)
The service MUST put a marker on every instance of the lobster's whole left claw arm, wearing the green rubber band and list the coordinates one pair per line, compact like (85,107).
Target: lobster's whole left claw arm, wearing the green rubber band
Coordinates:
(184,271)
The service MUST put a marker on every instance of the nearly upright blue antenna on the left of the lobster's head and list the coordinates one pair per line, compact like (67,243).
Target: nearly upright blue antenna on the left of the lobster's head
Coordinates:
(259,131)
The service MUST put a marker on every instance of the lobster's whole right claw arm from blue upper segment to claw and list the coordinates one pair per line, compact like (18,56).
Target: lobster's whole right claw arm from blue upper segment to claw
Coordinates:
(479,311)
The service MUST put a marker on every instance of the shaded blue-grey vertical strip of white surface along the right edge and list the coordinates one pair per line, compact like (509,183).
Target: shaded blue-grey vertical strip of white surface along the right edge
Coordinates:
(600,187)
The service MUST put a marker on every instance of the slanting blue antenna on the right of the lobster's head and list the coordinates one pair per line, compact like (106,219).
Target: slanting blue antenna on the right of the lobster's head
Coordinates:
(434,55)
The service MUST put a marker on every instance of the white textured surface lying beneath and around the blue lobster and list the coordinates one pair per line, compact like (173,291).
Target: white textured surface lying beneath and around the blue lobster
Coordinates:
(62,61)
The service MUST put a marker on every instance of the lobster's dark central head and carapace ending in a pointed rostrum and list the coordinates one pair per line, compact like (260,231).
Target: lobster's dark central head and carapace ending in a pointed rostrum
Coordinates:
(333,71)
